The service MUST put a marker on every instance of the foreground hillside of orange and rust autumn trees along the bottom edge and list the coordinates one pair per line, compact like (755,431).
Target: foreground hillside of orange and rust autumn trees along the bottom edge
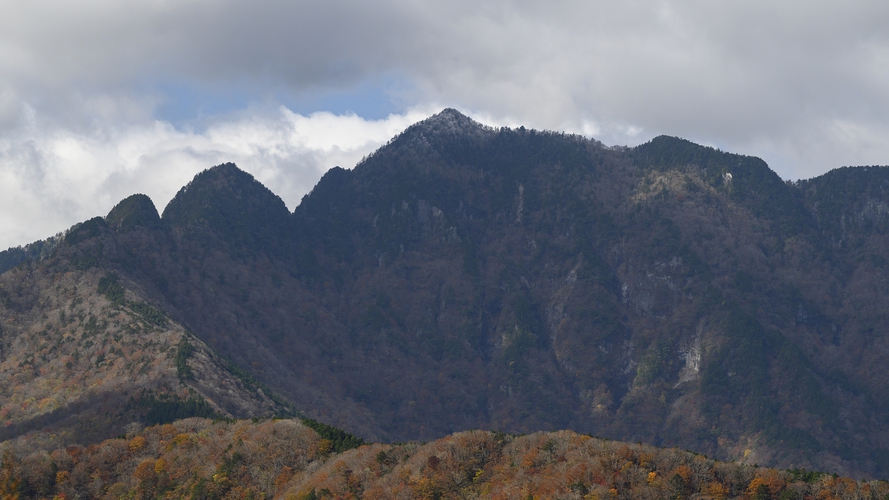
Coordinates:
(197,458)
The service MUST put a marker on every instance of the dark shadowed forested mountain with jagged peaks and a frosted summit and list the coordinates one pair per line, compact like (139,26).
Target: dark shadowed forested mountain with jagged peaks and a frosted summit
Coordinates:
(465,277)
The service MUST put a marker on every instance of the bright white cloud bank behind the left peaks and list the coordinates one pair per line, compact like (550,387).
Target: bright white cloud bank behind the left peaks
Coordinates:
(53,178)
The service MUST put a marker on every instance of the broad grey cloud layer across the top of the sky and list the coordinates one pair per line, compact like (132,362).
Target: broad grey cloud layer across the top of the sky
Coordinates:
(731,69)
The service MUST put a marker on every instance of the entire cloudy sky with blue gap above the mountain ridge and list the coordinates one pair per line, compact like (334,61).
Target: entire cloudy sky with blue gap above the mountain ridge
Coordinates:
(101,99)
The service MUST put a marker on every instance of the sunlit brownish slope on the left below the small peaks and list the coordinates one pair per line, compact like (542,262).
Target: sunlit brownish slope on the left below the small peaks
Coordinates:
(83,355)
